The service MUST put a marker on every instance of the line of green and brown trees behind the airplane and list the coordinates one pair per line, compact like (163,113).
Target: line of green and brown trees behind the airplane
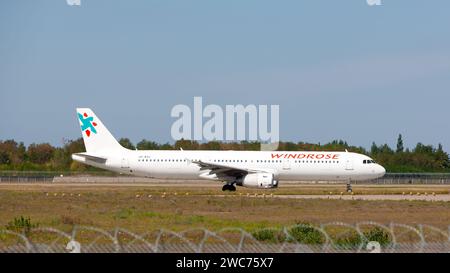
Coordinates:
(45,157)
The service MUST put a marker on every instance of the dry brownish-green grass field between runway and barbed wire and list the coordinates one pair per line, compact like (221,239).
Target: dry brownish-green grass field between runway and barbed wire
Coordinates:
(130,207)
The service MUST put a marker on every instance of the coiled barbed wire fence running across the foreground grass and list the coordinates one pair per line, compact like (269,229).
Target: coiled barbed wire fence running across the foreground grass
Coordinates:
(329,237)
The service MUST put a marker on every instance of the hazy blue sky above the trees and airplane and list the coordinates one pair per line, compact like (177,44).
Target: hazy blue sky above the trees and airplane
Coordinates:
(338,69)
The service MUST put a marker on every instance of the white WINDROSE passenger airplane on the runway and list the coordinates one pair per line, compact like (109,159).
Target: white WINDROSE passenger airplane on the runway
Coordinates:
(253,169)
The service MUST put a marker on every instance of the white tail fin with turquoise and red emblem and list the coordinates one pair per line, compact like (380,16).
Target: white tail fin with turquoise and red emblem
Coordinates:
(97,139)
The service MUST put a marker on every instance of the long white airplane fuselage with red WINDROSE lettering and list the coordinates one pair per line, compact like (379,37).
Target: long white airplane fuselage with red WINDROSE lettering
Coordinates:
(299,166)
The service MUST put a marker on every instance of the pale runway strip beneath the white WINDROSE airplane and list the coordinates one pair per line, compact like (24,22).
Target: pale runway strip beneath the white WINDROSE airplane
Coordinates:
(201,188)
